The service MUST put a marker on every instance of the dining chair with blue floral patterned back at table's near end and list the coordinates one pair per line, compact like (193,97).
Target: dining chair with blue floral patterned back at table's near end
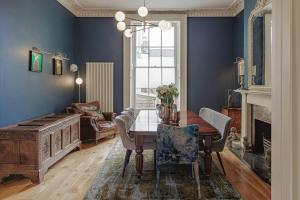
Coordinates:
(177,145)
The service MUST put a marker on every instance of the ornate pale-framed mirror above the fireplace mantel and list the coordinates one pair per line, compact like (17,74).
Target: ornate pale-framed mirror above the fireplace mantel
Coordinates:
(259,46)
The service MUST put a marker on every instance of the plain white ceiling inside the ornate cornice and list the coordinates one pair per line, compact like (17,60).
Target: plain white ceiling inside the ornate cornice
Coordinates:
(159,5)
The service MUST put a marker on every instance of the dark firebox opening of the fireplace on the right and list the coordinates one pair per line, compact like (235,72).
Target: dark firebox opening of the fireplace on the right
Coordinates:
(262,131)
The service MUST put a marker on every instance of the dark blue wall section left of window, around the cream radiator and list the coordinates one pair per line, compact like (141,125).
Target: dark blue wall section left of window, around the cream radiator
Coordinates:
(98,40)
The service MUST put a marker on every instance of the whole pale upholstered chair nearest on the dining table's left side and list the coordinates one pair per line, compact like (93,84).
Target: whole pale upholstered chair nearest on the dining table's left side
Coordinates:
(128,141)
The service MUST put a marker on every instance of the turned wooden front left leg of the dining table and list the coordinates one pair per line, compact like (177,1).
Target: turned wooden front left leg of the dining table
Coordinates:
(139,158)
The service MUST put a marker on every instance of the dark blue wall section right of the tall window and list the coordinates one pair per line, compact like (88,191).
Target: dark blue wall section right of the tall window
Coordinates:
(210,61)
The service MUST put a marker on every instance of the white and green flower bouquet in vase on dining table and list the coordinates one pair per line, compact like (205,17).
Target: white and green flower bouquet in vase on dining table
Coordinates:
(167,95)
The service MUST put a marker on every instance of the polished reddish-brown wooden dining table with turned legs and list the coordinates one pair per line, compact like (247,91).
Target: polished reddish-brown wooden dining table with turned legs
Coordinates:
(146,124)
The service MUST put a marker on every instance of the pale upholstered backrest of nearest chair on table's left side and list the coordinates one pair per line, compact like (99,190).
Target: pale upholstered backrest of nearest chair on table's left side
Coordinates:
(122,124)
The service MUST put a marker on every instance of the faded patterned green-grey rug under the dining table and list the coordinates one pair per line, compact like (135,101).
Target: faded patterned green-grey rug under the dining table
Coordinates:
(176,181)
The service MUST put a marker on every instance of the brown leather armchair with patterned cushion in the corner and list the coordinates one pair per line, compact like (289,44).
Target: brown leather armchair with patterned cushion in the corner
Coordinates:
(94,124)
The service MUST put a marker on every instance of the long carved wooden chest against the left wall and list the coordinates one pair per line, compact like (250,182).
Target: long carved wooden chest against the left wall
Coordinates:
(31,147)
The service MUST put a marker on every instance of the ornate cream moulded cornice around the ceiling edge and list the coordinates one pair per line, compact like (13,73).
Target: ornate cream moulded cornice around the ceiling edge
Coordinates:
(235,8)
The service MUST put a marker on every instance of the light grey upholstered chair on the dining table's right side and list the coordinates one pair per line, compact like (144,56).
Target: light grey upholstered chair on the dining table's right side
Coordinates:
(222,124)
